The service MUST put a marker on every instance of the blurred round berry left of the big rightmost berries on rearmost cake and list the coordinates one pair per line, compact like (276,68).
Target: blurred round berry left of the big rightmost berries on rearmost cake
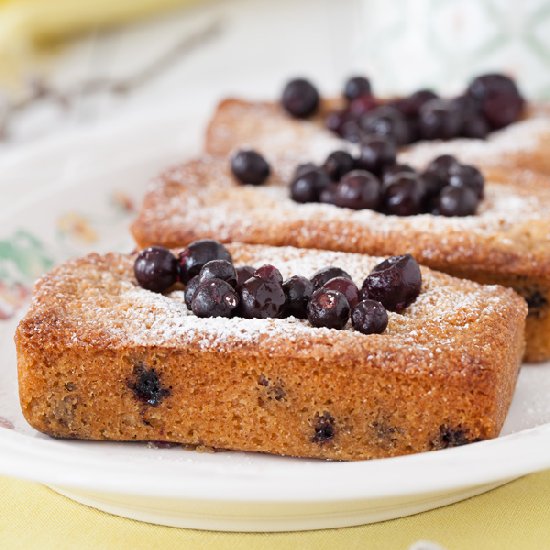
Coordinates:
(440,119)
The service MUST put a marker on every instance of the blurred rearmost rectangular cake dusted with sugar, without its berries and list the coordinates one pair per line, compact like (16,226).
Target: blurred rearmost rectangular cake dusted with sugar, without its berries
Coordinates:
(264,126)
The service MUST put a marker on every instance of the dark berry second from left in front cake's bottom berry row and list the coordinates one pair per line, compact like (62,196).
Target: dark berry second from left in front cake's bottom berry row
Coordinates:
(261,299)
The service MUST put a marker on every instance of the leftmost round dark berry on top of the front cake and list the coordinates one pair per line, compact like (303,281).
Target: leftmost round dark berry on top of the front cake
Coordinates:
(156,269)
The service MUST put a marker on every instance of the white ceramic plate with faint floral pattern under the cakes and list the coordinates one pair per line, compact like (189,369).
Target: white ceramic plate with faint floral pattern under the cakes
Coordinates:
(75,195)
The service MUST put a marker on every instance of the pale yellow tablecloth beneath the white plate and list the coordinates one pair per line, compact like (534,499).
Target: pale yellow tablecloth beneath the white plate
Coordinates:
(516,516)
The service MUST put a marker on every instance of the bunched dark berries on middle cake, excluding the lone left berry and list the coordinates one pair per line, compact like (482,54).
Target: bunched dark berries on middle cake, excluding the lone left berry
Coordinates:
(374,181)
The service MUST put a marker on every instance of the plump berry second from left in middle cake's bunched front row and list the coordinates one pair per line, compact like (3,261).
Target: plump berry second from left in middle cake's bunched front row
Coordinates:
(358,190)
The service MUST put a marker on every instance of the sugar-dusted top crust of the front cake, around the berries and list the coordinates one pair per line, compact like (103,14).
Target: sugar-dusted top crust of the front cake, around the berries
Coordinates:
(95,301)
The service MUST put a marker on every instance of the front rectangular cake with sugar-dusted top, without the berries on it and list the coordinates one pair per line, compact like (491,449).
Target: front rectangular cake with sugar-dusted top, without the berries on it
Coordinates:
(101,358)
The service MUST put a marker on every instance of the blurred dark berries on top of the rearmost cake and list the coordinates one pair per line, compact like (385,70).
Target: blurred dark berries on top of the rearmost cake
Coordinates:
(490,102)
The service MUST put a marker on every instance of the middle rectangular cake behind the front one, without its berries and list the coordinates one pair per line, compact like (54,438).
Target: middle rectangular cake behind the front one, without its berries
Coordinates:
(507,242)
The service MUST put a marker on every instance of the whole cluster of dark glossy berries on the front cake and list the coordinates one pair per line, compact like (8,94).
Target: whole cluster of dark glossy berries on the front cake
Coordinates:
(216,288)
